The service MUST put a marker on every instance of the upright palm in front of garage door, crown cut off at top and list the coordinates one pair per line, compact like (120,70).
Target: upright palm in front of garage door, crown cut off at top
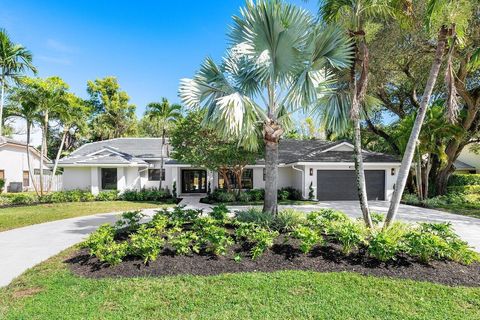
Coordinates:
(353,15)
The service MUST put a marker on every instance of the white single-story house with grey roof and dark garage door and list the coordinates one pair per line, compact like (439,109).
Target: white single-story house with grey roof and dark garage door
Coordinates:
(134,163)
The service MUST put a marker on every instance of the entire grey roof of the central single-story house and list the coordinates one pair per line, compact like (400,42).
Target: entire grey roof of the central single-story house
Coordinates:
(125,151)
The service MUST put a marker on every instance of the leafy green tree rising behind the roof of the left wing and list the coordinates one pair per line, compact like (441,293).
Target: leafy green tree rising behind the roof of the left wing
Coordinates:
(113,116)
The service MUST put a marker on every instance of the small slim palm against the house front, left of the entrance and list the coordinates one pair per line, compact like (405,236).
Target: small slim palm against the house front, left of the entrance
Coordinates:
(164,114)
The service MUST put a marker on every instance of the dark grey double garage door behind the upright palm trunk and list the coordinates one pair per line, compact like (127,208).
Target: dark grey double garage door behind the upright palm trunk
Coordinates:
(341,185)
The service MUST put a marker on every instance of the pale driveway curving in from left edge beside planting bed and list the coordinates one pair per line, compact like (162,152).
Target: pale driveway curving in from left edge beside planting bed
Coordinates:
(23,248)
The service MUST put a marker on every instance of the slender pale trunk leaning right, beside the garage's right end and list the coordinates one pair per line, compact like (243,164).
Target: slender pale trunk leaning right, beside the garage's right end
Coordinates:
(412,141)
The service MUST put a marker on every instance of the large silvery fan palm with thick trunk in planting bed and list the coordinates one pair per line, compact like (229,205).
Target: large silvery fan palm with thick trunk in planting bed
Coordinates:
(279,61)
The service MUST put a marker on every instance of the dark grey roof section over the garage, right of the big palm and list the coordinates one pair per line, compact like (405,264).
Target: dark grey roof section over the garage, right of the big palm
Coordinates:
(292,151)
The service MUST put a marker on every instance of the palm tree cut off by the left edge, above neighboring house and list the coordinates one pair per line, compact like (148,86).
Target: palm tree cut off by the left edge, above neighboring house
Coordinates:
(14,61)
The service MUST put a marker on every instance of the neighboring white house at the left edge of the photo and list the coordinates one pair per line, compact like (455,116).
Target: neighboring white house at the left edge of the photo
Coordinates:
(14,165)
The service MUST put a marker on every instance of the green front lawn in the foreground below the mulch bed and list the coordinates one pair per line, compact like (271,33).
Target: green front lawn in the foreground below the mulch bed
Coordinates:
(50,291)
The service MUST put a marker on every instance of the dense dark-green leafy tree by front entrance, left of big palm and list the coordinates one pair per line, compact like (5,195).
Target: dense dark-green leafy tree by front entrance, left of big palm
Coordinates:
(199,145)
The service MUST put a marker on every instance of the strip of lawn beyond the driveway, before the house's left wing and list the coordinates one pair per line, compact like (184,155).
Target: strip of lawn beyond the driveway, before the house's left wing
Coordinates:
(15,217)
